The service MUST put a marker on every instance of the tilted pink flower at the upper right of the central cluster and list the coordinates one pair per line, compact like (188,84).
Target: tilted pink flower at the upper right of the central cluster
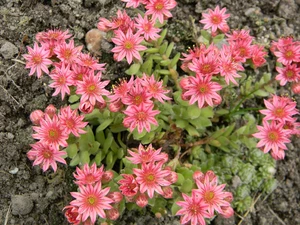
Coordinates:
(155,88)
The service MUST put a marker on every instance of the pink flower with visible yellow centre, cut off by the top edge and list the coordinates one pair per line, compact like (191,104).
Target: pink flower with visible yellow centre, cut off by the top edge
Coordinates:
(160,9)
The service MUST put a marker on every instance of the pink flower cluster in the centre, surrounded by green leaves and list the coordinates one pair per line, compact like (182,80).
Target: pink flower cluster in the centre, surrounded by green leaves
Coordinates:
(137,97)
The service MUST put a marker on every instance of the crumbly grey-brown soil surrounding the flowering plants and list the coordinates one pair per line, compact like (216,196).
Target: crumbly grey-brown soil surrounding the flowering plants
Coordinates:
(27,195)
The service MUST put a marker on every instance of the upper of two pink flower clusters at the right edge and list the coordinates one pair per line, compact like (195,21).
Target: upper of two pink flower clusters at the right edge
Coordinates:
(288,52)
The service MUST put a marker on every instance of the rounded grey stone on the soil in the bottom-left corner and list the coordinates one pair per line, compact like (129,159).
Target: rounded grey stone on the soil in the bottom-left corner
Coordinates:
(21,205)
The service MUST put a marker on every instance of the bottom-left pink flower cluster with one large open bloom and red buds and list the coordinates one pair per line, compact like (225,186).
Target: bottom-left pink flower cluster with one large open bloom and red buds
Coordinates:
(92,199)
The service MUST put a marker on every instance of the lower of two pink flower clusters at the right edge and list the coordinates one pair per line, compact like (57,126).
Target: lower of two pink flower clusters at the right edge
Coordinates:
(279,124)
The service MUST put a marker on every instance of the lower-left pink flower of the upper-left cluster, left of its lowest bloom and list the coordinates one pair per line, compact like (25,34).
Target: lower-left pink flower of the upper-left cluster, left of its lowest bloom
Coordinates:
(62,78)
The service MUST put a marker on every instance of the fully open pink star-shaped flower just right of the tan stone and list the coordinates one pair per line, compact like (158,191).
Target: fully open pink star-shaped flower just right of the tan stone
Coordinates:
(128,45)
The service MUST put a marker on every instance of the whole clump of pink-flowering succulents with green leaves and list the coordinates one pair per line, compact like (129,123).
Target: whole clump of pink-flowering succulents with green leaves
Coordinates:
(175,131)
